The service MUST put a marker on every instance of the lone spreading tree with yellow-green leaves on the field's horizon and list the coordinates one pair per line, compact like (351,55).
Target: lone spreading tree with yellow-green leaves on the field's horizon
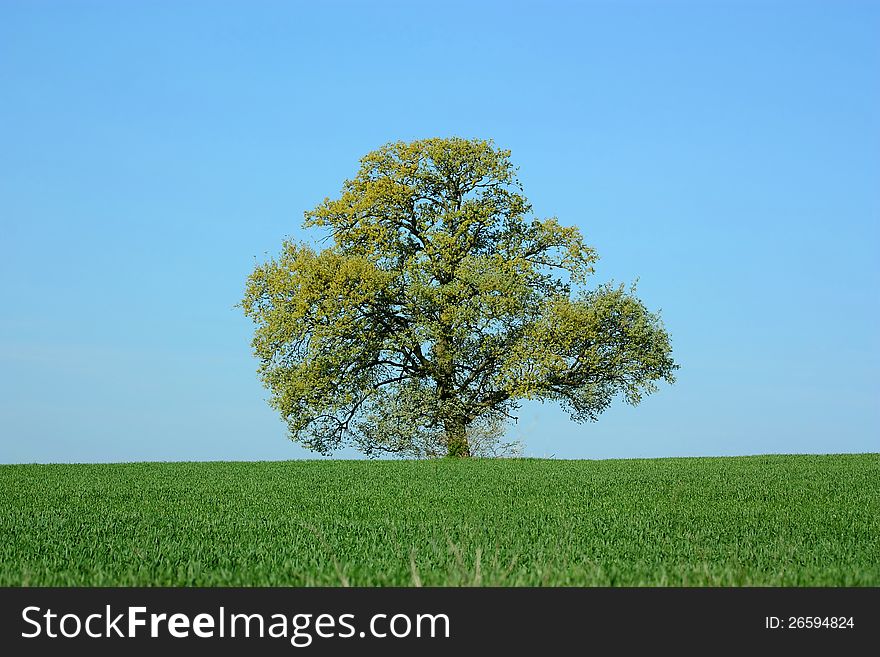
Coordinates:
(440,303)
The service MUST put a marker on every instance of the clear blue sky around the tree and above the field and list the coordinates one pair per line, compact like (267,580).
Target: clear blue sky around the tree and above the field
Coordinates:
(727,154)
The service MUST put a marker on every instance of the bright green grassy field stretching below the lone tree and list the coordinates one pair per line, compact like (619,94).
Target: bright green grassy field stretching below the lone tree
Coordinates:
(767,520)
